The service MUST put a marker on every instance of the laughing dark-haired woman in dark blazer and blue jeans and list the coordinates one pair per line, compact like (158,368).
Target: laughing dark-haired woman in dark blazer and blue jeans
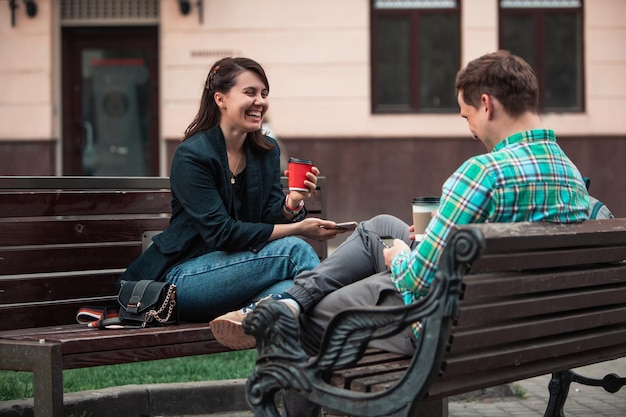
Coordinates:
(231,239)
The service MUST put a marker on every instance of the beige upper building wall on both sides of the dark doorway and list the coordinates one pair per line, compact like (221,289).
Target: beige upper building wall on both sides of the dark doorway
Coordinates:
(317,58)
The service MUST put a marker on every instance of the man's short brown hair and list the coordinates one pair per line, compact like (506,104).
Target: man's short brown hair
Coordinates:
(504,76)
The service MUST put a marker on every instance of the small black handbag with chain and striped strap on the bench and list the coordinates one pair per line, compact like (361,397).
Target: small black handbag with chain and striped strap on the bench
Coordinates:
(143,303)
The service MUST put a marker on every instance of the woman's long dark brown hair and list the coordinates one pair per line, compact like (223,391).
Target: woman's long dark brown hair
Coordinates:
(221,78)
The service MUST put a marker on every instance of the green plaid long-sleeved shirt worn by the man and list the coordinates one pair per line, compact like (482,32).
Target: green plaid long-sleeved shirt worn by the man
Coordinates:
(526,177)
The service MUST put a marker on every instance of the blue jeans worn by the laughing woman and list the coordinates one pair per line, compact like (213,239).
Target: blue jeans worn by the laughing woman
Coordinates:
(218,282)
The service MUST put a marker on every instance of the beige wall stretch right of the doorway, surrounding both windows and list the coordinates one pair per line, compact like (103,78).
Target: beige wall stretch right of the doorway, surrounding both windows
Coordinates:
(317,58)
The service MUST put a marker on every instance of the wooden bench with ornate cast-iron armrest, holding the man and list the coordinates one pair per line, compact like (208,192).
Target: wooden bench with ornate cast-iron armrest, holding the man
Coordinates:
(510,302)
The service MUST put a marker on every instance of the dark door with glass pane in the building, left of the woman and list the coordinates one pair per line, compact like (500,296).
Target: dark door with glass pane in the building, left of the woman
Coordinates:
(110,101)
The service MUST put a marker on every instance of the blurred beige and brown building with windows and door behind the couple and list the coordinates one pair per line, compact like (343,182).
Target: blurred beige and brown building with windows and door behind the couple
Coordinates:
(364,88)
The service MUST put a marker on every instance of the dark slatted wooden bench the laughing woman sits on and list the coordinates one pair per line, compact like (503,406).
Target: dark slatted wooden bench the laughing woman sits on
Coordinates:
(64,241)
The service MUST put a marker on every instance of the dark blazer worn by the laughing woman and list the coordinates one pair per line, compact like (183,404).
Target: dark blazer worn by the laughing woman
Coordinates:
(203,219)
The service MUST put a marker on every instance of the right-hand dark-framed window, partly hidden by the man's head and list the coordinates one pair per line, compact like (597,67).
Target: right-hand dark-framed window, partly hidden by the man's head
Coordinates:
(548,35)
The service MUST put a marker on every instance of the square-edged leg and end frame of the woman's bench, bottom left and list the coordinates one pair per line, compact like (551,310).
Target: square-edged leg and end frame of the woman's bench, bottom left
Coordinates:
(45,361)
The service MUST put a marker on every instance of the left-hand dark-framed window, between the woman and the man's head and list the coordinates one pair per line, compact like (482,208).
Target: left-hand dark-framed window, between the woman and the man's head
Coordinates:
(415,49)
